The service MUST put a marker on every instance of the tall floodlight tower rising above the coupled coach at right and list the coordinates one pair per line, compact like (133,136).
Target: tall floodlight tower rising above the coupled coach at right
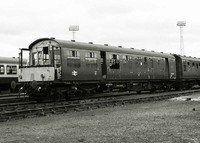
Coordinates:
(181,24)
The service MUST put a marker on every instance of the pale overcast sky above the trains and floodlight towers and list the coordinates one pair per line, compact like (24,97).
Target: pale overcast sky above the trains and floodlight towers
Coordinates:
(139,24)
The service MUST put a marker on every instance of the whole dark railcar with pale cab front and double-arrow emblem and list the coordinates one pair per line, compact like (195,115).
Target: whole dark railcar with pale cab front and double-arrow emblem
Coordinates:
(60,68)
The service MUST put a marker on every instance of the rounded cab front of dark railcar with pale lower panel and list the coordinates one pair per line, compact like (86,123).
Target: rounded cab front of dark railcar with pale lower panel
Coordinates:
(44,64)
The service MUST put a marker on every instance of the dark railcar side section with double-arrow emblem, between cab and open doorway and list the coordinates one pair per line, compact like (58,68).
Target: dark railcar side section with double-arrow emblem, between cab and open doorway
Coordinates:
(85,66)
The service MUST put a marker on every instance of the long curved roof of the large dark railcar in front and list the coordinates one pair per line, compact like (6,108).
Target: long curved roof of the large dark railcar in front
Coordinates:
(98,47)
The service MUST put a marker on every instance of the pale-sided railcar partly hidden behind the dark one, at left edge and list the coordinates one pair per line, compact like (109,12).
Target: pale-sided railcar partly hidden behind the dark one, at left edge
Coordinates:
(8,72)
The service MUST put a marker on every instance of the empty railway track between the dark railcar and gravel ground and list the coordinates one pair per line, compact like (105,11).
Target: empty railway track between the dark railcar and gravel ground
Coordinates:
(33,109)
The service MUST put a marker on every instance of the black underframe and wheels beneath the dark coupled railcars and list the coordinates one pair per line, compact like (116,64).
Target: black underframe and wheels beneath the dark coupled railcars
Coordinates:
(57,91)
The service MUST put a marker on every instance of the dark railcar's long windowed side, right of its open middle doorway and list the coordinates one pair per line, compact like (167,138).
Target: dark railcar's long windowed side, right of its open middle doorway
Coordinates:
(139,67)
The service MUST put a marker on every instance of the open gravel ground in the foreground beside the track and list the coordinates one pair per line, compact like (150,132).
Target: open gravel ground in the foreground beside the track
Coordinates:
(172,121)
